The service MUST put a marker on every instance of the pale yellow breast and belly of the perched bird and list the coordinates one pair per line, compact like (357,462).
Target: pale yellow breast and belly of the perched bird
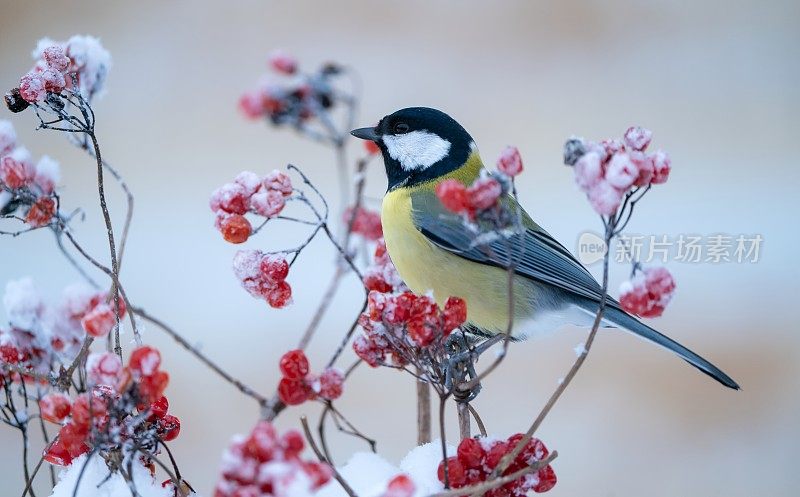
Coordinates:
(426,268)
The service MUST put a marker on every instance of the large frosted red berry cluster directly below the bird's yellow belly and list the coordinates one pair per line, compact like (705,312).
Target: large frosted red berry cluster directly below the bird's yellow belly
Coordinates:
(396,324)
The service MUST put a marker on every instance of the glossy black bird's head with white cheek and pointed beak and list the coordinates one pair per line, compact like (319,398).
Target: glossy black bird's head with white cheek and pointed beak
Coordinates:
(419,144)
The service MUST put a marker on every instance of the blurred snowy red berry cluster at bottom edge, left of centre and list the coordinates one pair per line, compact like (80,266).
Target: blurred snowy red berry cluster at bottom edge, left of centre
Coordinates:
(264,464)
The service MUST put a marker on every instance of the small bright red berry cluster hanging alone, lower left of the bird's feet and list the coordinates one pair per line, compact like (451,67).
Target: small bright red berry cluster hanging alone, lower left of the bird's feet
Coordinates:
(299,385)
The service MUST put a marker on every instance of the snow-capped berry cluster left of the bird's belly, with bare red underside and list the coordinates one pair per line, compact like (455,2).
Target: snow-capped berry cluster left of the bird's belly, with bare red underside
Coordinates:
(264,276)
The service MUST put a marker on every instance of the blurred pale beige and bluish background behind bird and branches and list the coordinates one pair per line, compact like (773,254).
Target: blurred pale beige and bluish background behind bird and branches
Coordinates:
(716,81)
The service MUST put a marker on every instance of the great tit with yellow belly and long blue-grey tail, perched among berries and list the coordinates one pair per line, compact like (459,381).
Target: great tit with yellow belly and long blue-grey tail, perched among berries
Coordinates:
(434,250)
